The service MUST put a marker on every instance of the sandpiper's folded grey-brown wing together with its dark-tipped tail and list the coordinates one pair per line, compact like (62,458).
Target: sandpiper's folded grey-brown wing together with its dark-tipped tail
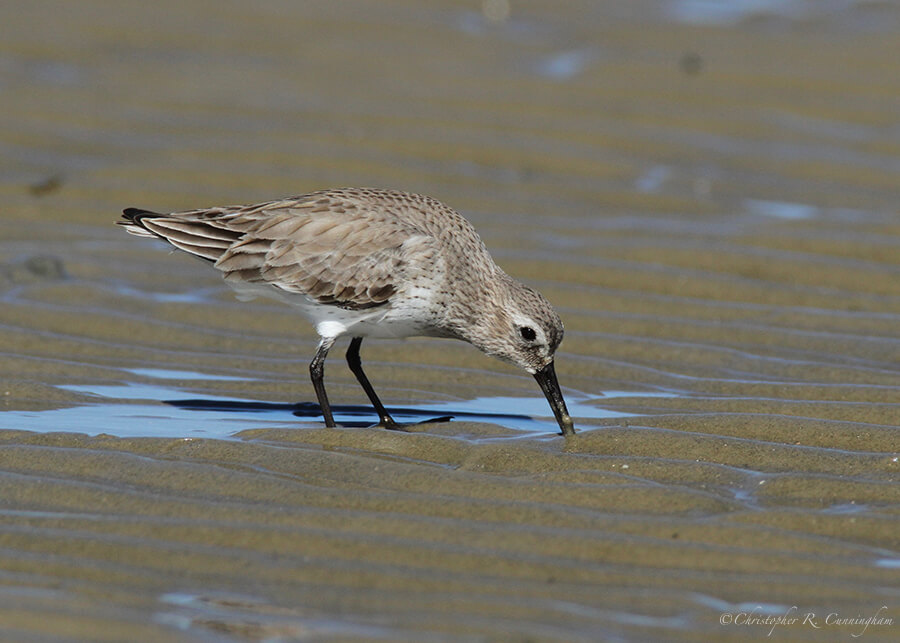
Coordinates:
(334,252)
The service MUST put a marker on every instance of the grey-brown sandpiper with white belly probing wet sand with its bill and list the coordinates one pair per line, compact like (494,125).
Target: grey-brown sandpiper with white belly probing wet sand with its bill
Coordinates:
(372,263)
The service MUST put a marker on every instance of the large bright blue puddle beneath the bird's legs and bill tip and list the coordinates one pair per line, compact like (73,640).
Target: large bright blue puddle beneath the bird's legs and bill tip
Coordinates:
(149,410)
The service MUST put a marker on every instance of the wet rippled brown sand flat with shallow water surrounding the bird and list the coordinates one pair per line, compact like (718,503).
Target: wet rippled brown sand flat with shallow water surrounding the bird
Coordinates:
(708,196)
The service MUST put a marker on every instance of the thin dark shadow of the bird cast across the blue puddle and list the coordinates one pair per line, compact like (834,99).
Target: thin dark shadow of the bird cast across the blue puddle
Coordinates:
(366,414)
